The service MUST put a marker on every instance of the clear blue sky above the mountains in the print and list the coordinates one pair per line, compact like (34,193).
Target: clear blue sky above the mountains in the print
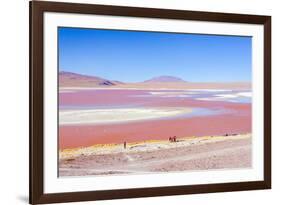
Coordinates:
(133,56)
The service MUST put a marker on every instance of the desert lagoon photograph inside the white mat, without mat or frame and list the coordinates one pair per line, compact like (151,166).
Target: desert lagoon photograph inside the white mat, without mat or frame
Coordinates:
(146,102)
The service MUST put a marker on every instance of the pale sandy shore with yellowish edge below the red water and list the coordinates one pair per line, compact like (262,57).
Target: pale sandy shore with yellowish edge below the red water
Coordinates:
(190,153)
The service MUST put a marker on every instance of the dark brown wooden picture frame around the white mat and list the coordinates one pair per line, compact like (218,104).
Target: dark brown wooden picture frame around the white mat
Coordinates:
(37,8)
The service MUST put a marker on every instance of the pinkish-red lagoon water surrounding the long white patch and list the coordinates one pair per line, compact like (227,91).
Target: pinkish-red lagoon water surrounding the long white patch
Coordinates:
(234,122)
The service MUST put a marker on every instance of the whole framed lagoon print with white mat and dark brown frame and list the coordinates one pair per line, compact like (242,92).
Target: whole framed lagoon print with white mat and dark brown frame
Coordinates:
(138,102)
